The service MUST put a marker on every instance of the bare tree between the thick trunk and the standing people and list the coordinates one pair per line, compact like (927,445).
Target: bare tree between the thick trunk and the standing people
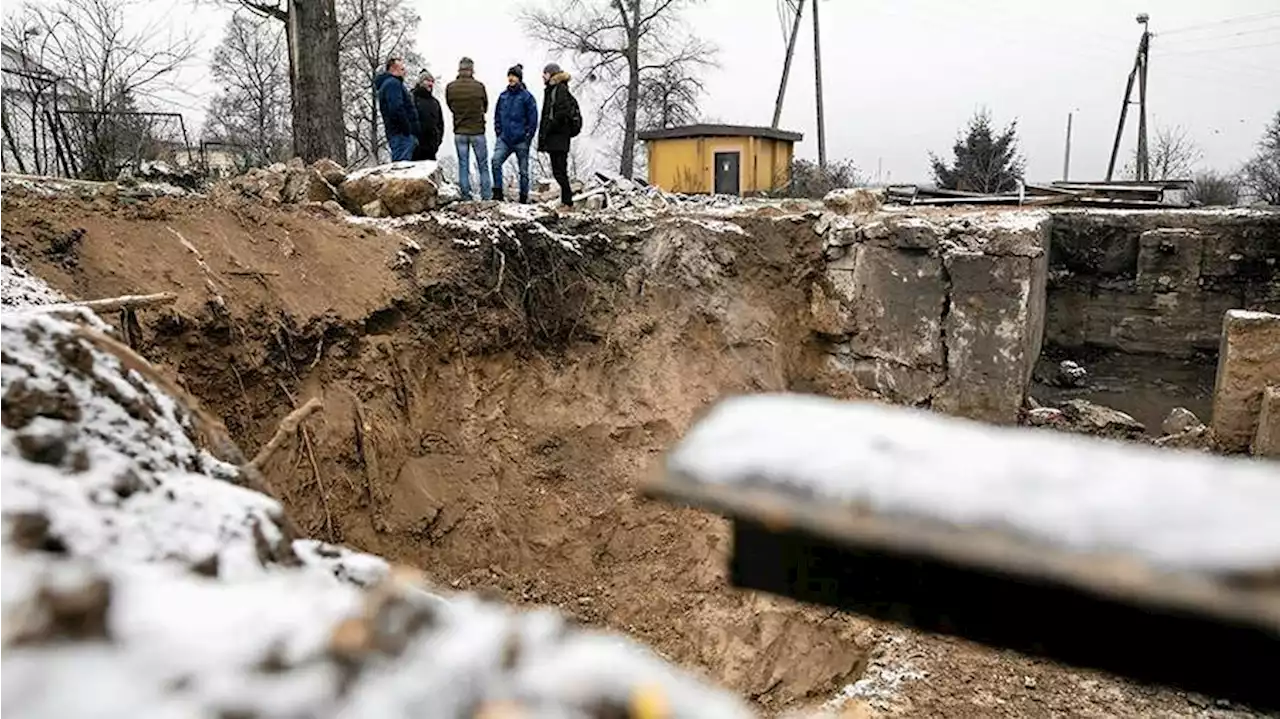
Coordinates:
(373,31)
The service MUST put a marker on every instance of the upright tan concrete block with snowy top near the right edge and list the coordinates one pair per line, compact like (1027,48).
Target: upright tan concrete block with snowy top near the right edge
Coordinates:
(1249,363)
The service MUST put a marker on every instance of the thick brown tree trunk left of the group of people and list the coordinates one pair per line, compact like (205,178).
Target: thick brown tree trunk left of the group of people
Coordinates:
(318,127)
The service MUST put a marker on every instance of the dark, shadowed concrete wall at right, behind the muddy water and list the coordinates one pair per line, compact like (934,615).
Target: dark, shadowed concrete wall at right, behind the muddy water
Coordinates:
(1159,282)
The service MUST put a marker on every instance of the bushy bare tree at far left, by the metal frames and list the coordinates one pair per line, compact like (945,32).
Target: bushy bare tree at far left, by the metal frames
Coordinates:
(111,68)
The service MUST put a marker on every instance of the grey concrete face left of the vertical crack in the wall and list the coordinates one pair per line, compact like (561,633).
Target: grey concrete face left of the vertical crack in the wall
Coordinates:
(897,301)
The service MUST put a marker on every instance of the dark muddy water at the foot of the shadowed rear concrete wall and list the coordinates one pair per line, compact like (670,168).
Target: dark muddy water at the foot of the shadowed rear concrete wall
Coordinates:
(1141,386)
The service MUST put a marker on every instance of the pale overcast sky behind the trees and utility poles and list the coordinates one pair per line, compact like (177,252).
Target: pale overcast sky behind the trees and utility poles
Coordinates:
(903,76)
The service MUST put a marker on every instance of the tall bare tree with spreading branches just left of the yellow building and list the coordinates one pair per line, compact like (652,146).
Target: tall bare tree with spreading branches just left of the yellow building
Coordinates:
(621,45)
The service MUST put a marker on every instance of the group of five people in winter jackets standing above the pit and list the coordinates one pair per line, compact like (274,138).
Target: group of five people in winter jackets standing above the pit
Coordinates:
(415,125)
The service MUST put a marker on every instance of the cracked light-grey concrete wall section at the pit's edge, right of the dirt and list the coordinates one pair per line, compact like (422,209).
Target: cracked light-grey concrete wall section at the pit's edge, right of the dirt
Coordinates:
(944,312)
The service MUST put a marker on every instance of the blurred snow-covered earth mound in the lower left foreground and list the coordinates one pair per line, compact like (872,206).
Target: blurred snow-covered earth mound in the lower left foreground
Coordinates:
(140,580)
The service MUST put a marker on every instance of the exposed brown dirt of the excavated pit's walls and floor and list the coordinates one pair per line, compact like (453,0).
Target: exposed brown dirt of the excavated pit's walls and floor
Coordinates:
(488,416)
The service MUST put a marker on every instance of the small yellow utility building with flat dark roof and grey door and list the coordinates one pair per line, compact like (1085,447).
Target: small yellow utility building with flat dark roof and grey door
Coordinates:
(720,159)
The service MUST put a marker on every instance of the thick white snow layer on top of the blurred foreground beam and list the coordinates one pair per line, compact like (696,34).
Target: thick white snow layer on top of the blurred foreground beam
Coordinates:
(1180,511)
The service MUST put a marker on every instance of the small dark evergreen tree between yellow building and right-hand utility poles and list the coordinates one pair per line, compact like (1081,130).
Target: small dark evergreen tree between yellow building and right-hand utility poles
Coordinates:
(985,161)
